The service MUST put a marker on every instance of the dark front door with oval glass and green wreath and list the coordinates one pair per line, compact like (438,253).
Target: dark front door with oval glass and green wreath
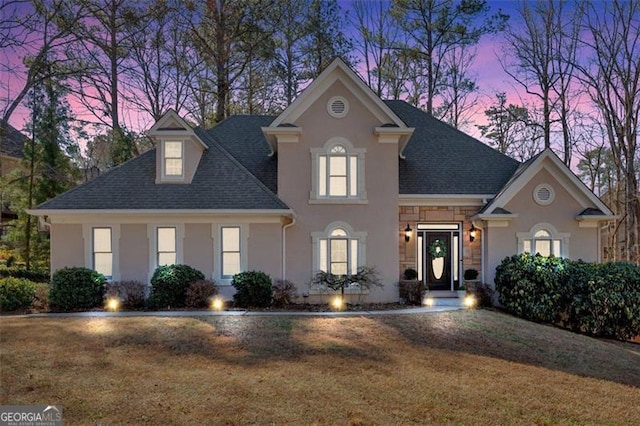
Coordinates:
(438,261)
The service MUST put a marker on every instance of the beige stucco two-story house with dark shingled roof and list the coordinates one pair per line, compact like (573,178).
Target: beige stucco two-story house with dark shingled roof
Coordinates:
(338,180)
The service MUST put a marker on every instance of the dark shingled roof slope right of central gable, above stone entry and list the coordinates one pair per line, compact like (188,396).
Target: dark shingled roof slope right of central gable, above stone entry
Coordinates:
(439,159)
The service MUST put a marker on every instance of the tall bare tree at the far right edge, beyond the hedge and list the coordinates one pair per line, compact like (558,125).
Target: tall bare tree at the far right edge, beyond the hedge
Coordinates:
(613,79)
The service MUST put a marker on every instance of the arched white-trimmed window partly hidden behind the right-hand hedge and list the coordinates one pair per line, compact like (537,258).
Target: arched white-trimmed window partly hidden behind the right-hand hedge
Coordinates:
(545,240)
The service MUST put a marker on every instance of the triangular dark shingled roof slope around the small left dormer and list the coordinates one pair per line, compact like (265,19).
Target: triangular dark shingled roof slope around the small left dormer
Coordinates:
(220,183)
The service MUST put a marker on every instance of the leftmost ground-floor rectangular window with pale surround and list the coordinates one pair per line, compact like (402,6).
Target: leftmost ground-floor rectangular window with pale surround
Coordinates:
(102,249)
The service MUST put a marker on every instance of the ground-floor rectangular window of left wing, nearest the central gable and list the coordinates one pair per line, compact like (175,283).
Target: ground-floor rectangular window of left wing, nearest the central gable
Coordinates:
(231,245)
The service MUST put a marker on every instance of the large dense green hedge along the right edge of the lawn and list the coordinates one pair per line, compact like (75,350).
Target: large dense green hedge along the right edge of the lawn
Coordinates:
(595,299)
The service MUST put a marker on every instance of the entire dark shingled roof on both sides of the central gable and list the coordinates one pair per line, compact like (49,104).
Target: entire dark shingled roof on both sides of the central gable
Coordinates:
(238,173)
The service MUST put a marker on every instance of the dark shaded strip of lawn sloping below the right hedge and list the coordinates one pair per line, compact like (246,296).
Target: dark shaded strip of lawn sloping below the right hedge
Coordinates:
(498,335)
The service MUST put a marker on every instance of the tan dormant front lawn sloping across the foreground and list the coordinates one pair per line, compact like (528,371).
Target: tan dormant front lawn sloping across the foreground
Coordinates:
(463,367)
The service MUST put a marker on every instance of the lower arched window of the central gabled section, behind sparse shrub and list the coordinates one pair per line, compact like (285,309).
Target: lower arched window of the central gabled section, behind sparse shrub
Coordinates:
(338,250)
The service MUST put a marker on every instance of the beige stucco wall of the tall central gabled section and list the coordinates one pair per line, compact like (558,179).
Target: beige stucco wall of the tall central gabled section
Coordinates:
(377,218)
